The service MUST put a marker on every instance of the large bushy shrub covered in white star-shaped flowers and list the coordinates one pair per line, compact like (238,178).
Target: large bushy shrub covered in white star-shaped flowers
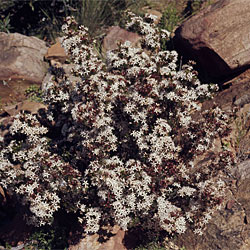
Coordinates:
(119,145)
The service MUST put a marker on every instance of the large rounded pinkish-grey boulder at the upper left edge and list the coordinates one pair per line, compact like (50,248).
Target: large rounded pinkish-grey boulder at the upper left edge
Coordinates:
(21,58)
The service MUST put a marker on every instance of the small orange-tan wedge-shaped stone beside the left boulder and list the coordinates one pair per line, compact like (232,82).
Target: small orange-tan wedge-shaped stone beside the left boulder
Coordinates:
(56,52)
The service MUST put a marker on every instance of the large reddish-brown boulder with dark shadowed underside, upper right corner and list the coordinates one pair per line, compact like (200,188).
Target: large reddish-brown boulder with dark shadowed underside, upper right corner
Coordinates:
(218,37)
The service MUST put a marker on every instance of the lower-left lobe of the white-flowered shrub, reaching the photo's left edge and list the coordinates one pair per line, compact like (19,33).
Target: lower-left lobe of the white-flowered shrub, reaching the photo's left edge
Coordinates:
(38,177)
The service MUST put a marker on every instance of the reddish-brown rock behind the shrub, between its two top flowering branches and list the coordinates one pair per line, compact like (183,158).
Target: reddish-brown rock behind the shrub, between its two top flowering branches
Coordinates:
(115,35)
